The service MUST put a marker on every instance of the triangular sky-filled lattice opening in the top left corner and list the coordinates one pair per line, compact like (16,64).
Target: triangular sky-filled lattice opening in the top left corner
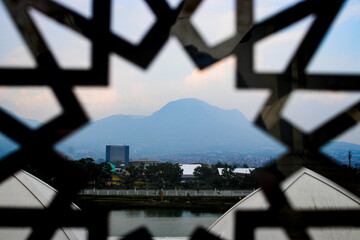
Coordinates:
(13,51)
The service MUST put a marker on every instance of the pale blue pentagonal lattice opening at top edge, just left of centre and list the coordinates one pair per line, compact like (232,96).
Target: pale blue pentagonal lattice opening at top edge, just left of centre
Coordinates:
(131,19)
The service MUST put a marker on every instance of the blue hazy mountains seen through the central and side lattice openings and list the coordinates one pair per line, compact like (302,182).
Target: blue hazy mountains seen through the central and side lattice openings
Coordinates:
(187,130)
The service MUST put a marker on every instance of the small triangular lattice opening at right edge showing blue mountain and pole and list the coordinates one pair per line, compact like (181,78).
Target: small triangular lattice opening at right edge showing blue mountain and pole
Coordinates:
(338,148)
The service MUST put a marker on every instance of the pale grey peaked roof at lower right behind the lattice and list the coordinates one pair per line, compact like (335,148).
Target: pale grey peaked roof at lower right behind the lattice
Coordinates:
(304,190)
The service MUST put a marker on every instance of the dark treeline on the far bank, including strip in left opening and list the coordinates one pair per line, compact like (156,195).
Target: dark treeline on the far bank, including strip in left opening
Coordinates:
(161,175)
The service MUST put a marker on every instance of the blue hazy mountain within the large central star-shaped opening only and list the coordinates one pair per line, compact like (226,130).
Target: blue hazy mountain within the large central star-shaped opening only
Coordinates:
(186,126)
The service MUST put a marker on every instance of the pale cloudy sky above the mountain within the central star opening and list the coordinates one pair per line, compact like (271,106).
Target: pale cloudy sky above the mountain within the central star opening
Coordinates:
(170,77)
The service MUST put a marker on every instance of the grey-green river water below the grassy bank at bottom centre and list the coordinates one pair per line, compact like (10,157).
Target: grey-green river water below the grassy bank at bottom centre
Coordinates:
(160,222)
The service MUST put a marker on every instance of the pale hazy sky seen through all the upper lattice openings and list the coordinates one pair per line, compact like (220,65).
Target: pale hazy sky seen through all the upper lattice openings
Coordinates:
(173,76)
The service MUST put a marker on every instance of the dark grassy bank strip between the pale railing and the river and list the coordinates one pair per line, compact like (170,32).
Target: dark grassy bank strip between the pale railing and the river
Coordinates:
(183,202)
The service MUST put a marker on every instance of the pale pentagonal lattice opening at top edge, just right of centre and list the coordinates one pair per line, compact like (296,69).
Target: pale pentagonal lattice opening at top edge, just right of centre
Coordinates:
(215,20)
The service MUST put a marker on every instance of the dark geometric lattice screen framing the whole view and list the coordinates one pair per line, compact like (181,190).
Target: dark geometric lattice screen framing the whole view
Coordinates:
(37,145)
